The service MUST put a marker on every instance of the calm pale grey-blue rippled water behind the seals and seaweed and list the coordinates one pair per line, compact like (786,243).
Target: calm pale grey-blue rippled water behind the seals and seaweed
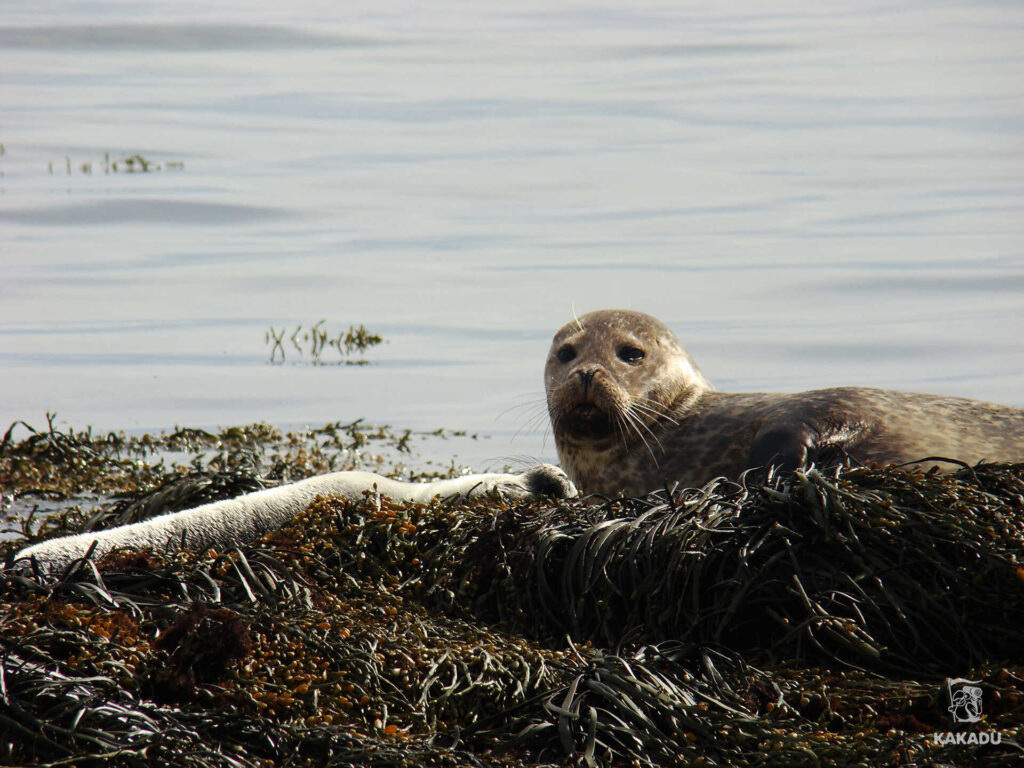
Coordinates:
(809,194)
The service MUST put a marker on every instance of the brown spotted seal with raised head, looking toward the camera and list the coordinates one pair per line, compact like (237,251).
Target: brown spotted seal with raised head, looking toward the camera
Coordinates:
(632,413)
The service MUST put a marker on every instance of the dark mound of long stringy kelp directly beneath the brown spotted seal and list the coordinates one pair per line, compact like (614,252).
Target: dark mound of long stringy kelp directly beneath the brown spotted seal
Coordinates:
(884,570)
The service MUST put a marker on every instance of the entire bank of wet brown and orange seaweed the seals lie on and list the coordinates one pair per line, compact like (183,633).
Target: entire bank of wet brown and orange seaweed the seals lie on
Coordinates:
(806,621)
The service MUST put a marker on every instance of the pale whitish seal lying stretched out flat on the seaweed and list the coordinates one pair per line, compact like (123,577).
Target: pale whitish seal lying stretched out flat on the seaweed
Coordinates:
(236,522)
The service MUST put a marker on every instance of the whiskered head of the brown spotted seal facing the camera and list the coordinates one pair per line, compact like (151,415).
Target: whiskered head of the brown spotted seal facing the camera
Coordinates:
(614,378)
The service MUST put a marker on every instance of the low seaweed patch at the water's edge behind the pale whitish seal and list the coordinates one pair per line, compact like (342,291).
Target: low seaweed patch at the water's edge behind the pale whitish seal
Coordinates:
(57,482)
